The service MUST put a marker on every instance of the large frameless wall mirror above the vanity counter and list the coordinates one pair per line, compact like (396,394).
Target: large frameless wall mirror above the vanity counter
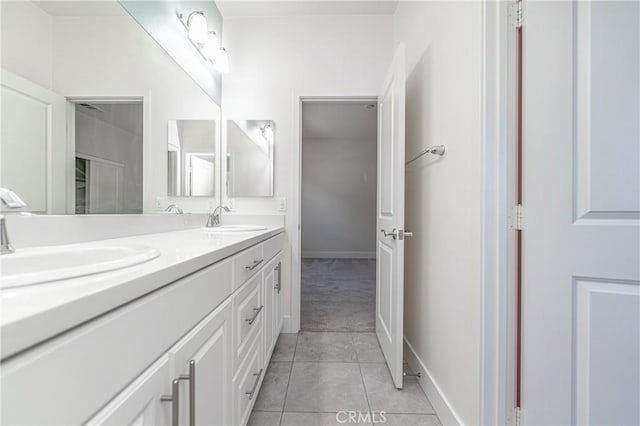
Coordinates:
(83,124)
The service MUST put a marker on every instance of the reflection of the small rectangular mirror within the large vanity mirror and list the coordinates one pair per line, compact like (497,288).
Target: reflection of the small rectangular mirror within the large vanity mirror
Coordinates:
(191,158)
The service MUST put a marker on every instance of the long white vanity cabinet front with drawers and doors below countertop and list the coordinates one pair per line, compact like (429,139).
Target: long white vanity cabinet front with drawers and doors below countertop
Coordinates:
(206,338)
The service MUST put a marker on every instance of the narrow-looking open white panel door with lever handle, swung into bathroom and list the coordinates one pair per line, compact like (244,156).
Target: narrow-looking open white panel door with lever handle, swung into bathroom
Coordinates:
(390,216)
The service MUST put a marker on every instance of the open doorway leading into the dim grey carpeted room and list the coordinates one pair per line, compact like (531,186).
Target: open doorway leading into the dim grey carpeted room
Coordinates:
(338,227)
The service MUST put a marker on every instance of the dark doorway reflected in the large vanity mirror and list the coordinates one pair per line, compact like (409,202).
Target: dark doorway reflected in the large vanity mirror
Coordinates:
(108,159)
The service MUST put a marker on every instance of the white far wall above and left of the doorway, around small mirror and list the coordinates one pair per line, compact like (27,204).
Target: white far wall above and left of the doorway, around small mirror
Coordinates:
(273,59)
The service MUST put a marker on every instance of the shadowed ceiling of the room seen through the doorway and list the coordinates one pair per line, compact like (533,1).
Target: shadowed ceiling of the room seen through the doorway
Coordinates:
(339,120)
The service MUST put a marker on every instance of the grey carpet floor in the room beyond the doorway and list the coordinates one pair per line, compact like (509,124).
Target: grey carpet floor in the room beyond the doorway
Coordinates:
(338,295)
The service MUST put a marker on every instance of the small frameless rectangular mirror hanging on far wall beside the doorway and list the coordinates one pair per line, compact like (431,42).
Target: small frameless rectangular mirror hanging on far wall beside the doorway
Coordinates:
(250,145)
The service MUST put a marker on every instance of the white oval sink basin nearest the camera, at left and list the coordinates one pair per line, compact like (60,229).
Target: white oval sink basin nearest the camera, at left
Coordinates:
(40,265)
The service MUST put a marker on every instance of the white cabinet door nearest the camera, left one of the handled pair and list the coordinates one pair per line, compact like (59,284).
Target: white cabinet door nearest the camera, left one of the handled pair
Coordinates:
(139,404)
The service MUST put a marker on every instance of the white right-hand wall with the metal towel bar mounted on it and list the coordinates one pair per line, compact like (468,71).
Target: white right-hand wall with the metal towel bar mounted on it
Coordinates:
(442,266)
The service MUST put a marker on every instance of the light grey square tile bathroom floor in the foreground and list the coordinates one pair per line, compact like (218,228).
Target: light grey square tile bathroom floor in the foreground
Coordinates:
(314,375)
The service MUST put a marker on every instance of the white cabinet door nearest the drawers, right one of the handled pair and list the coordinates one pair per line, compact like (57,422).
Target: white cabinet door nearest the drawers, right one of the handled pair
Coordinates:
(202,359)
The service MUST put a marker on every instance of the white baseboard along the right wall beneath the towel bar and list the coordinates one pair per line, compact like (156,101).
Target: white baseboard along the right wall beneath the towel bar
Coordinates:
(444,410)
